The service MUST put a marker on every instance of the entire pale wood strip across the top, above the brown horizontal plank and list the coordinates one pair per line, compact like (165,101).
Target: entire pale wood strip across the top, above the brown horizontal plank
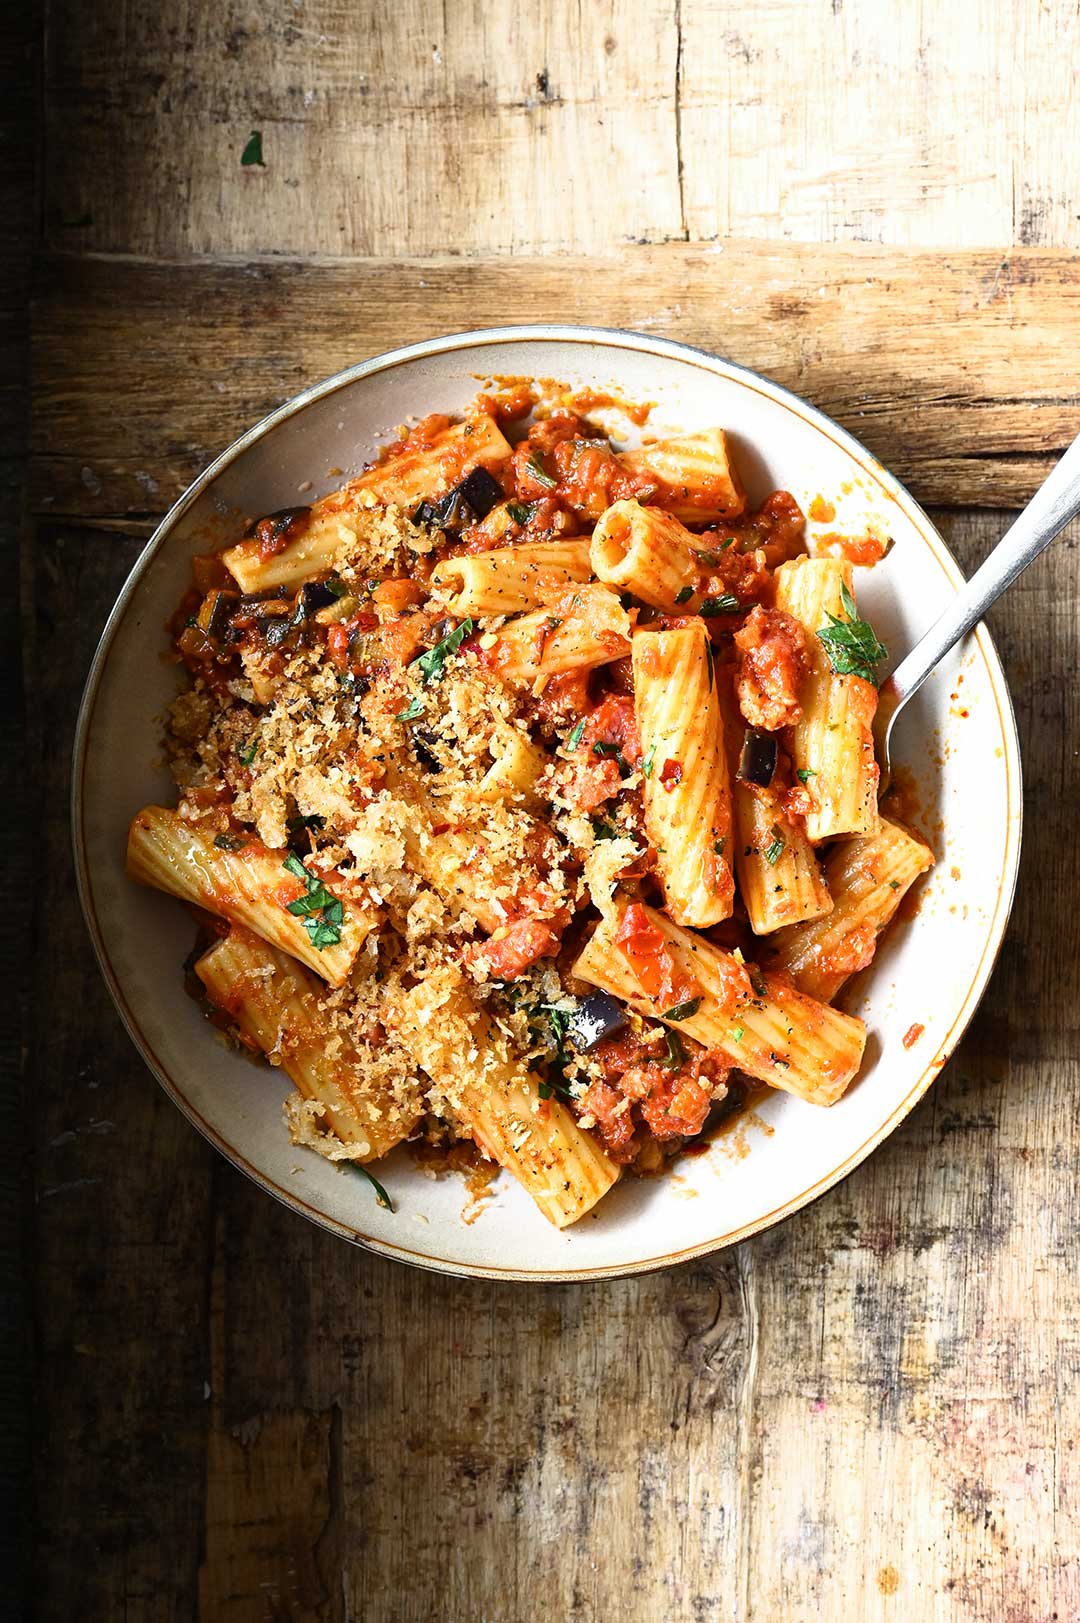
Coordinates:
(459,129)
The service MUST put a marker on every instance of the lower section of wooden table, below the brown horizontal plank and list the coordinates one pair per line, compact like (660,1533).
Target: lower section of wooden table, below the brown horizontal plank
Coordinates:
(866,1413)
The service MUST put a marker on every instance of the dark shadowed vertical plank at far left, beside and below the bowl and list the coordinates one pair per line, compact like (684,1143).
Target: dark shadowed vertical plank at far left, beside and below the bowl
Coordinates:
(123,1210)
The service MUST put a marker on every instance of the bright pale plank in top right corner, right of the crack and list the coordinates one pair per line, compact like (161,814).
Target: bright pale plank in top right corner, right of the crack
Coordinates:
(888,123)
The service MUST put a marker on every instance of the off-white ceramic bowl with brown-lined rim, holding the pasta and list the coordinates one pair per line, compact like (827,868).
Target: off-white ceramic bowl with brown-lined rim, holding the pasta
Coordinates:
(959,739)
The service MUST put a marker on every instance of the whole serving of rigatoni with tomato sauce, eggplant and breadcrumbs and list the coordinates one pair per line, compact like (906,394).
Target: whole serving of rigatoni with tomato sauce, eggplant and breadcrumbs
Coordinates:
(527,803)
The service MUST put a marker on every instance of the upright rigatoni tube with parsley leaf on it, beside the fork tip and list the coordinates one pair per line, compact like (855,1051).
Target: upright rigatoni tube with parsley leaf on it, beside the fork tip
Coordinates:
(832,746)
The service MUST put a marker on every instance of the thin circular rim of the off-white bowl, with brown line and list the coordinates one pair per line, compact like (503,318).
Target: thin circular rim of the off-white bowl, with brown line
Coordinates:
(608,338)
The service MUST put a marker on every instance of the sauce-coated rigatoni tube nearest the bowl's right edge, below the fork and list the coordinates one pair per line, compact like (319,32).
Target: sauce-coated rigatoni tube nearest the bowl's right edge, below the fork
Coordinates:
(868,879)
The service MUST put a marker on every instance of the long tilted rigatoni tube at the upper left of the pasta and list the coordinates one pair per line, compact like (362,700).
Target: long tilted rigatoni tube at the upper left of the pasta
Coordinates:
(322,536)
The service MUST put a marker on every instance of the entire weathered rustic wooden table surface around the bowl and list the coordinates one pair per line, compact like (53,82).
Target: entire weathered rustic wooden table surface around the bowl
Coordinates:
(868,1414)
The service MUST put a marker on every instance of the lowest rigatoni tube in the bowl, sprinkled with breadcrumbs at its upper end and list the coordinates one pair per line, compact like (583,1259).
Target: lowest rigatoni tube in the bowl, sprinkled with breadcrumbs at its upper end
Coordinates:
(498,1100)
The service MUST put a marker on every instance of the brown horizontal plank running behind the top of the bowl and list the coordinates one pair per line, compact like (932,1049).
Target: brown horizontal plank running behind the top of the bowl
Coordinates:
(134,395)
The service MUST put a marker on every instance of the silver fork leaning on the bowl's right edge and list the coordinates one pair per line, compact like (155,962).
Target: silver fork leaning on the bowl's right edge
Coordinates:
(1053,506)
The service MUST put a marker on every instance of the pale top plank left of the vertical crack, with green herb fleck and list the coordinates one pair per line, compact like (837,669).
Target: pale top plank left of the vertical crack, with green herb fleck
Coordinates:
(386,129)
